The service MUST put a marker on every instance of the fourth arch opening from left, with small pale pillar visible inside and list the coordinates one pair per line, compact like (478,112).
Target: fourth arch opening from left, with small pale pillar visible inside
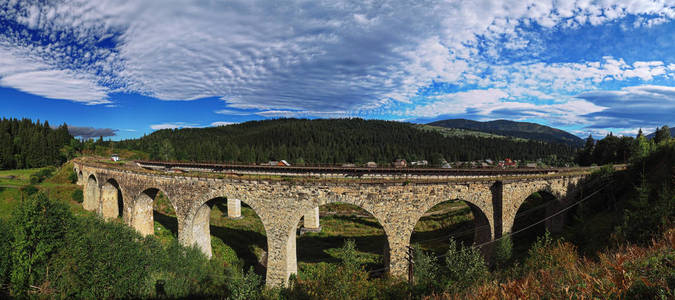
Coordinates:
(231,230)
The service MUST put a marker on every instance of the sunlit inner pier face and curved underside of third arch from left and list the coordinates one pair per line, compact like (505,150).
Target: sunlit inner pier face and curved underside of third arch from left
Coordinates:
(142,218)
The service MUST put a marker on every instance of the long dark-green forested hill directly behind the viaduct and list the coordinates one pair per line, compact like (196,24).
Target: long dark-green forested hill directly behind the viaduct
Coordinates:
(332,141)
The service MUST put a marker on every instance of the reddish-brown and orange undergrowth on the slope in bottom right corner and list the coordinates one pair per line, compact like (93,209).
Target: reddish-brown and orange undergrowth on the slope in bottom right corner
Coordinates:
(630,272)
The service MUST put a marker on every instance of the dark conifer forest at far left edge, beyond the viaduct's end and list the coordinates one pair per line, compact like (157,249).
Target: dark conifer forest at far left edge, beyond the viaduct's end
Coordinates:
(28,144)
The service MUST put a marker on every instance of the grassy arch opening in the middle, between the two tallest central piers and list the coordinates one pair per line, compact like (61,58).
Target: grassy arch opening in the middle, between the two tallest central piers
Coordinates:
(340,222)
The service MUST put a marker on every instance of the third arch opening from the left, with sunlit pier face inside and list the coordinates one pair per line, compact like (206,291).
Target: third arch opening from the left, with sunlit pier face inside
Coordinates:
(150,205)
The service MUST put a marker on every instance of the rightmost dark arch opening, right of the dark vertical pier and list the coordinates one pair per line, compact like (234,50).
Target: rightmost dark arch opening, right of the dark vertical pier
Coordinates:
(535,208)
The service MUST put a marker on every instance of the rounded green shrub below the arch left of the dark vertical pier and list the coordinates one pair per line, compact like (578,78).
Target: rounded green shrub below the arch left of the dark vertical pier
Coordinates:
(464,267)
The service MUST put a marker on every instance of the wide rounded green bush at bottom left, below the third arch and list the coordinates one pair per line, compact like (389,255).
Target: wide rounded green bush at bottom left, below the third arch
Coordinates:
(102,260)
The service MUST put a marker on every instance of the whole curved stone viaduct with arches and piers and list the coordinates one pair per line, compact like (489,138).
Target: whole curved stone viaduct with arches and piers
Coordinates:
(114,190)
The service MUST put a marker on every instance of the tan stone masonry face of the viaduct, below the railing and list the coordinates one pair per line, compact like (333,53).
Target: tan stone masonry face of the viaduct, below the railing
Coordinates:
(281,205)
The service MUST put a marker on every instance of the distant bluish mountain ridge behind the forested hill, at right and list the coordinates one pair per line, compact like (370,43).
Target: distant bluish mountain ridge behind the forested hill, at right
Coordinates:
(525,130)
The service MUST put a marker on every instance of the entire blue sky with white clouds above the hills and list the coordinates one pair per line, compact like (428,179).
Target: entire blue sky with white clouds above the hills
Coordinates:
(126,68)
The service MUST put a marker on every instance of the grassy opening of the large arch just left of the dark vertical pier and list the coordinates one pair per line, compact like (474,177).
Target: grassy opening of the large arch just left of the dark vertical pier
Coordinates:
(462,220)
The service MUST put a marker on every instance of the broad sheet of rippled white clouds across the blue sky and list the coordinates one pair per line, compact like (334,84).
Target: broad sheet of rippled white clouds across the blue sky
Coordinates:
(330,58)
